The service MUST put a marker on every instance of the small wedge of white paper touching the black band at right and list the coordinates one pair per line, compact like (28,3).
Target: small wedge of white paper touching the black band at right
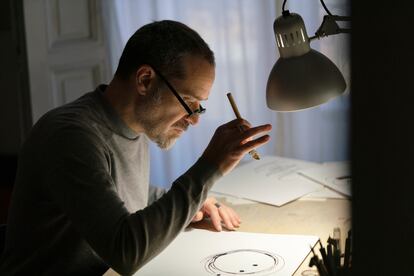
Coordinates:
(334,175)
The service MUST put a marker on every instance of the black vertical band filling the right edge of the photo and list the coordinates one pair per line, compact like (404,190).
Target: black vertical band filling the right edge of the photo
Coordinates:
(382,137)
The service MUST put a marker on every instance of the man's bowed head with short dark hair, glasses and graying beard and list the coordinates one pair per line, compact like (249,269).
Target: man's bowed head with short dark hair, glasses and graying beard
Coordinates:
(161,57)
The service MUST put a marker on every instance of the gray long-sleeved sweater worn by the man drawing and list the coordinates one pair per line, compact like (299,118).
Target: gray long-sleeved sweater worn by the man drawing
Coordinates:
(82,201)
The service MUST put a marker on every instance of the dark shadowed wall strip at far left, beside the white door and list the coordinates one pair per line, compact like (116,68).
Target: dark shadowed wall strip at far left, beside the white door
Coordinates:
(14,101)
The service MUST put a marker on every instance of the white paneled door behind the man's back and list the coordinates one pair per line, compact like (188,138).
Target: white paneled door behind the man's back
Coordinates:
(67,56)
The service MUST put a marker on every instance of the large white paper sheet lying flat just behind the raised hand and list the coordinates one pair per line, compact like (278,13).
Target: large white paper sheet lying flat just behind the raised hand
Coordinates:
(273,180)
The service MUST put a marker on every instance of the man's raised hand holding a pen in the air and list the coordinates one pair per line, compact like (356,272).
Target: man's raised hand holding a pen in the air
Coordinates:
(229,143)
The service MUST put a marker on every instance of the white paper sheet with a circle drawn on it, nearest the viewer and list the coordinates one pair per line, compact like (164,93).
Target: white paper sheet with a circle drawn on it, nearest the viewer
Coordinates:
(200,252)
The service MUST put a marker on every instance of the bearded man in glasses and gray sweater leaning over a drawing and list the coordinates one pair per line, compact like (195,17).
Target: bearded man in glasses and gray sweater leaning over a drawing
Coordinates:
(82,201)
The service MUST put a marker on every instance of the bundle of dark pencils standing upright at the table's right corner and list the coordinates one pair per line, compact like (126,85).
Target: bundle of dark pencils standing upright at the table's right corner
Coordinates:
(333,262)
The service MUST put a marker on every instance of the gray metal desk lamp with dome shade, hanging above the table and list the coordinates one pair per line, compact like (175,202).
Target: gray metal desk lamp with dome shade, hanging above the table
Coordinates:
(302,77)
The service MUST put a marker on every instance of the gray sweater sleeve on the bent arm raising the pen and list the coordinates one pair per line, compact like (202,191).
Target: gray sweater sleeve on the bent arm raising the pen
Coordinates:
(77,179)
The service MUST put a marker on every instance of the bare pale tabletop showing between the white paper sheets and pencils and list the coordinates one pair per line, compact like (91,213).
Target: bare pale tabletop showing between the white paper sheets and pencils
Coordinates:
(304,217)
